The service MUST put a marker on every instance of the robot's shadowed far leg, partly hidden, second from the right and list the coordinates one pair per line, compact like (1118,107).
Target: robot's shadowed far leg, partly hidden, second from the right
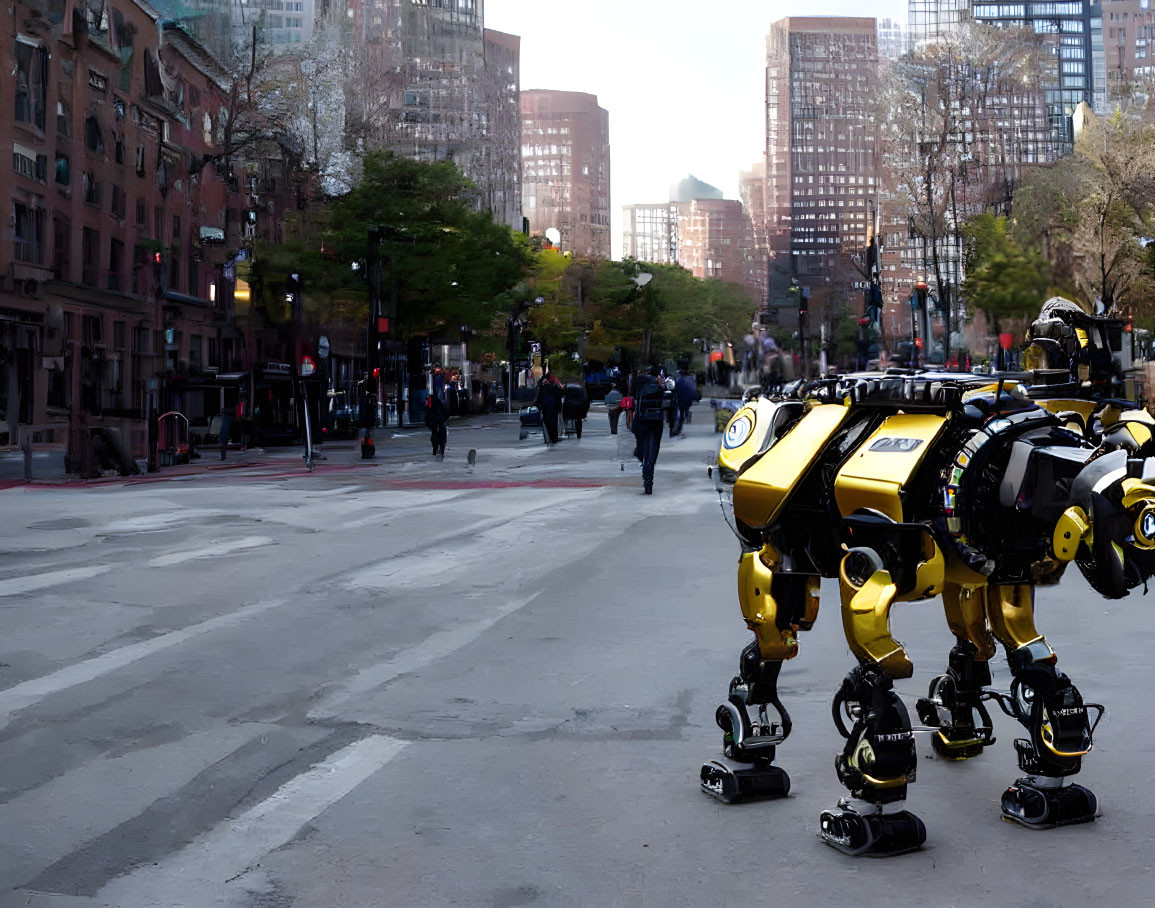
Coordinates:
(955,705)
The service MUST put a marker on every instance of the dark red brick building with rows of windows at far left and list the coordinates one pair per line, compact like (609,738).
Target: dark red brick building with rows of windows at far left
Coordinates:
(113,270)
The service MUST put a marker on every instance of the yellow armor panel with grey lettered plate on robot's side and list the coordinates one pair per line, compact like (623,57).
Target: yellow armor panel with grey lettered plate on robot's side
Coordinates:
(877,473)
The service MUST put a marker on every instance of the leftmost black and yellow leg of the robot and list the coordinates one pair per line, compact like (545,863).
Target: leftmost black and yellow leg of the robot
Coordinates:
(752,719)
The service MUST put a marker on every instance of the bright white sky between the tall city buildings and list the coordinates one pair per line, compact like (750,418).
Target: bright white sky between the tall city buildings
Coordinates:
(683,80)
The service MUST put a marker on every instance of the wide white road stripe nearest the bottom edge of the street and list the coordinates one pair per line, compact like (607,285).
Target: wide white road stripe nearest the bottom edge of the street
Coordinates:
(235,846)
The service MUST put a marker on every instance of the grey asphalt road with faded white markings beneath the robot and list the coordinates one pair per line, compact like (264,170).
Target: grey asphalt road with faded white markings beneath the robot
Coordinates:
(422,684)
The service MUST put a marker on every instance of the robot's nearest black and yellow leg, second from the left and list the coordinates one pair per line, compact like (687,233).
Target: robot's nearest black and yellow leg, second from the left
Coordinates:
(878,761)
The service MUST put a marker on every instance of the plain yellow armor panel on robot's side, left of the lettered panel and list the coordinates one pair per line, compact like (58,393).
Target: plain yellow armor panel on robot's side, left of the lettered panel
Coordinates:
(762,490)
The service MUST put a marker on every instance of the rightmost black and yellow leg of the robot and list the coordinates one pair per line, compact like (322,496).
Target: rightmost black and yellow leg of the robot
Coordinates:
(1053,711)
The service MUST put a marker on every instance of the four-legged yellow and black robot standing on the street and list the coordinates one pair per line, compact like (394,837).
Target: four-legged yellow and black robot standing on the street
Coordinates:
(907,488)
